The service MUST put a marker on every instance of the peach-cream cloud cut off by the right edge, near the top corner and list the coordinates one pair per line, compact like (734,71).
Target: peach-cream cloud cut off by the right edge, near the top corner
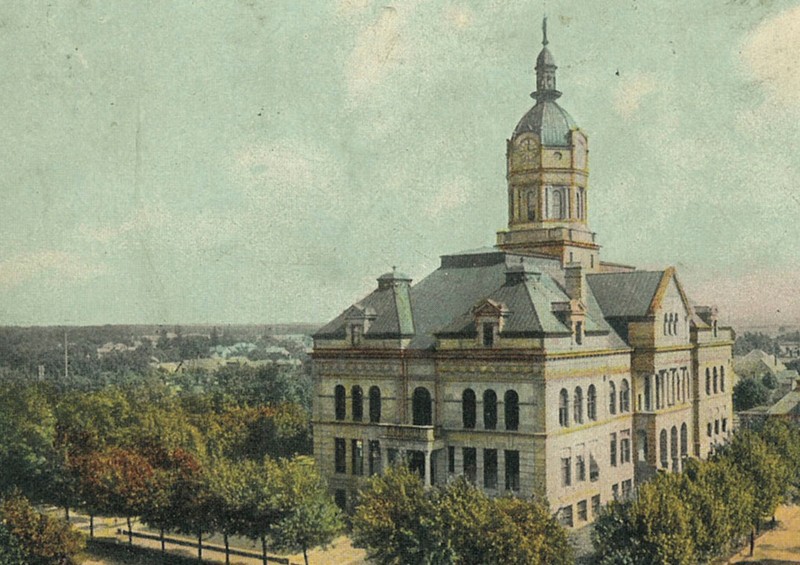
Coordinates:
(770,54)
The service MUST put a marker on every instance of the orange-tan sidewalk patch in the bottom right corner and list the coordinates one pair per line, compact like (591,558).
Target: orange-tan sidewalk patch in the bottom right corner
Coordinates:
(779,546)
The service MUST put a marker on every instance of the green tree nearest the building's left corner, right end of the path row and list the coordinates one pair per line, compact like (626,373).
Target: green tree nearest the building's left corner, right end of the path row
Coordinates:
(310,517)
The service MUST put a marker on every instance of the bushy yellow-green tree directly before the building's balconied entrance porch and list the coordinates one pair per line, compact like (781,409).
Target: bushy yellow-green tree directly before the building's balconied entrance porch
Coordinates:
(393,518)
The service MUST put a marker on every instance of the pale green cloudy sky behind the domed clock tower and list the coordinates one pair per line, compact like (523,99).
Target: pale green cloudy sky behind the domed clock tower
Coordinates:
(260,161)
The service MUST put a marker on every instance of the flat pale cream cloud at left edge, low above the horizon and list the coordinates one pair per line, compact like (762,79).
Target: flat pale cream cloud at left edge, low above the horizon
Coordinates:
(52,264)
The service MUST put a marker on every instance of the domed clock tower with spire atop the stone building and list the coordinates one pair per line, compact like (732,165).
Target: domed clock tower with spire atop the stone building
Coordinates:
(547,173)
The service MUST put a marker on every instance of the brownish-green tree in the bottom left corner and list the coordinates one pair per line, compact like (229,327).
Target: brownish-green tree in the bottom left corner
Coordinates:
(42,539)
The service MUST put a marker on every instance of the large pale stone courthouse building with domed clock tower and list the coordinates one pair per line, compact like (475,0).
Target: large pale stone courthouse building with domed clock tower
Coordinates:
(532,366)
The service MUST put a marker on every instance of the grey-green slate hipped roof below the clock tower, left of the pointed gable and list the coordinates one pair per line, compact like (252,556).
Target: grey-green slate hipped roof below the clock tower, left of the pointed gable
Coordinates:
(442,302)
